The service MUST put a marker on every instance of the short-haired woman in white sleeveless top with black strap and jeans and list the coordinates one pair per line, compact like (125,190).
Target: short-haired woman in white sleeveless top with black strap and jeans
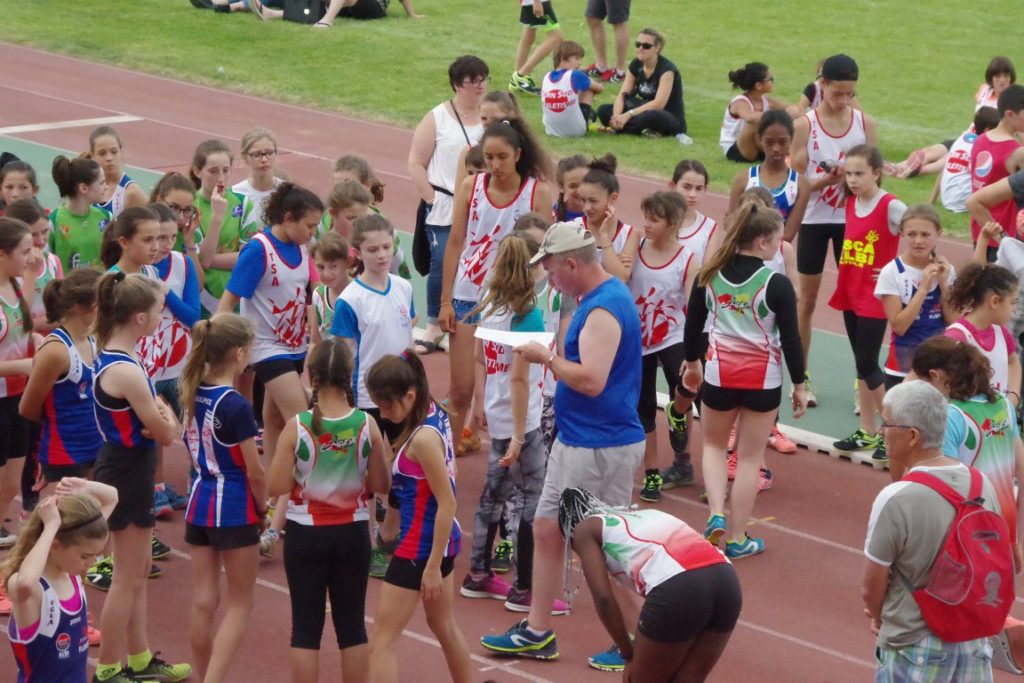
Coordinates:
(434,162)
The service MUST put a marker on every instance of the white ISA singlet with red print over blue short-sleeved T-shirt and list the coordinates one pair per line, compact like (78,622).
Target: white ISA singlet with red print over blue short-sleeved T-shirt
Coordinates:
(278,308)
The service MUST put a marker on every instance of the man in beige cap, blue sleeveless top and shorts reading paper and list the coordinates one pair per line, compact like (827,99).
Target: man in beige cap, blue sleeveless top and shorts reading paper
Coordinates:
(601,441)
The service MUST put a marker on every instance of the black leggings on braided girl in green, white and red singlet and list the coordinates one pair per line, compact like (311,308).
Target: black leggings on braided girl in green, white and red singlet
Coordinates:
(322,562)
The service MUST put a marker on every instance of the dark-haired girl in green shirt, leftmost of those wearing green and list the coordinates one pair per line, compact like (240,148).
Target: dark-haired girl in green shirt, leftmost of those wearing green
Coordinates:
(77,228)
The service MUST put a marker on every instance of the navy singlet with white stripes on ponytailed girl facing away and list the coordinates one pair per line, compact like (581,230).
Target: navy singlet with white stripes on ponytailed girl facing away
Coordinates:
(221,495)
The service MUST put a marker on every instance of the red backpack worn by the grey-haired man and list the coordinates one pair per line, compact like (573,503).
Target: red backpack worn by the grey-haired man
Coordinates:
(971,583)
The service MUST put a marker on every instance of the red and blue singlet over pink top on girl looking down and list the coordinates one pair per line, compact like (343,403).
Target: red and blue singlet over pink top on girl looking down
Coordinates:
(417,505)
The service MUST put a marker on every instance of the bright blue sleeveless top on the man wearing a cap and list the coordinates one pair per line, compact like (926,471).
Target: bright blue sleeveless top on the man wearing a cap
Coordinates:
(610,419)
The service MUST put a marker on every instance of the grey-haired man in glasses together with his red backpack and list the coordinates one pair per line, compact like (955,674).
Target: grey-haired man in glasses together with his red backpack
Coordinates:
(940,577)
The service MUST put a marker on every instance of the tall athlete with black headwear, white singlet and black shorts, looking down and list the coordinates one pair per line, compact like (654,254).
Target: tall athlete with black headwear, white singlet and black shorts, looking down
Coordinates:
(821,142)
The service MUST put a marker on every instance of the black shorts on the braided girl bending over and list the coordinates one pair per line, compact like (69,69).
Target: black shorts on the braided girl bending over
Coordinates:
(684,607)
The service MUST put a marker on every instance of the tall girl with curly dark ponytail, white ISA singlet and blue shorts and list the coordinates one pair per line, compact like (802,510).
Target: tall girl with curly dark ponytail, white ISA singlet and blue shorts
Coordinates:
(486,209)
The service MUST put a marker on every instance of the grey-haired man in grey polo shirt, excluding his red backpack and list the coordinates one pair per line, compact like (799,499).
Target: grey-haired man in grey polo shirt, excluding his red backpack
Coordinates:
(906,532)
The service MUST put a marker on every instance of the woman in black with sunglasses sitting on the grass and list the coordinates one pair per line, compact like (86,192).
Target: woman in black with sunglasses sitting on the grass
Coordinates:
(651,102)
